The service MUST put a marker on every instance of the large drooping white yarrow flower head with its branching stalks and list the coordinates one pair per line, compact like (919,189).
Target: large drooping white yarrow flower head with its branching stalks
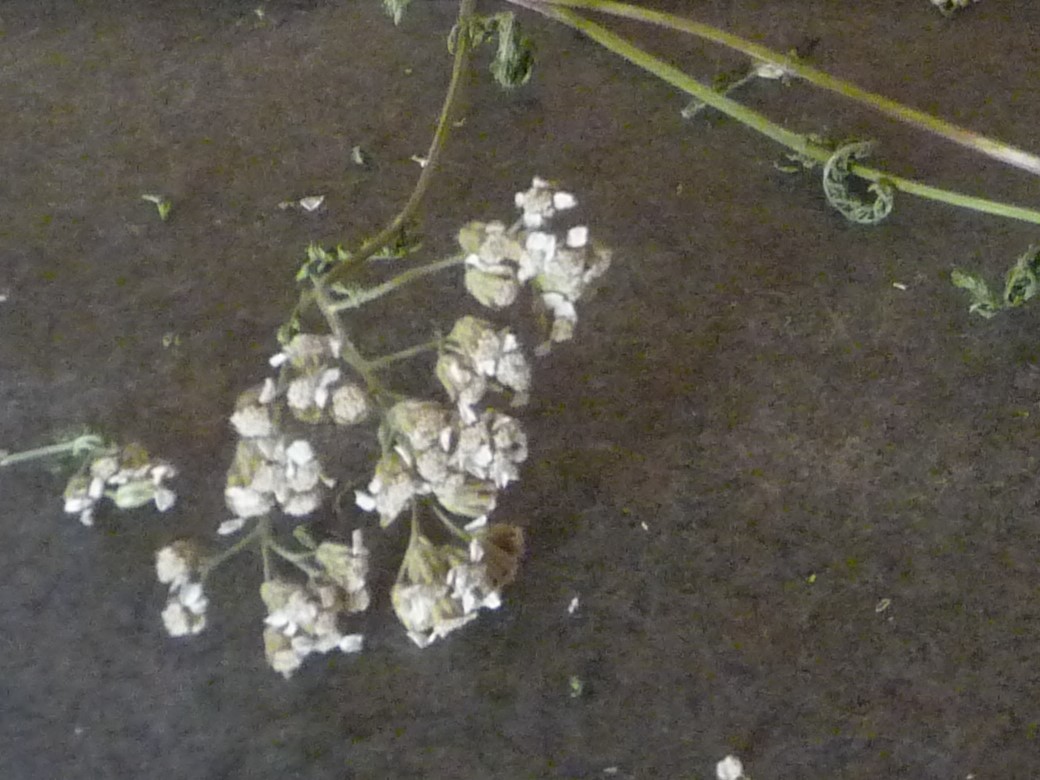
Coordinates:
(446,460)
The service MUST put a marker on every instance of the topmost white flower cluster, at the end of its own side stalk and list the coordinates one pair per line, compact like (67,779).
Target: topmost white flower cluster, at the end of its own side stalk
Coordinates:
(561,269)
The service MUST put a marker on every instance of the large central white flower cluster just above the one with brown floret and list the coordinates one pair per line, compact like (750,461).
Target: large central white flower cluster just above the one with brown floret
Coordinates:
(435,452)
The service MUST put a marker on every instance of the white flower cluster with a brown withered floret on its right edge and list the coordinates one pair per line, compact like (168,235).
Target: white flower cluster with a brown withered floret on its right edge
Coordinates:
(445,588)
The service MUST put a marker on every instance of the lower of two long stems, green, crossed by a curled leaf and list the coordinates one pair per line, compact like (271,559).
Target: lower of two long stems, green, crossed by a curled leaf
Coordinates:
(793,141)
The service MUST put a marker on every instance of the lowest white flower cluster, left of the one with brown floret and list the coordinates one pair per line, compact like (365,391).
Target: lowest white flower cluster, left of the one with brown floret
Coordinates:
(304,619)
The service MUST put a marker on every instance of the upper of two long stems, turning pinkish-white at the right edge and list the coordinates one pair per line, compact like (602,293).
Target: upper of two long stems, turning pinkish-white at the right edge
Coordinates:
(998,150)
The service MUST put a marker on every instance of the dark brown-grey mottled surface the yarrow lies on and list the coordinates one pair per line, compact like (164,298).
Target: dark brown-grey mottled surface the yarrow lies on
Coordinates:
(748,383)
